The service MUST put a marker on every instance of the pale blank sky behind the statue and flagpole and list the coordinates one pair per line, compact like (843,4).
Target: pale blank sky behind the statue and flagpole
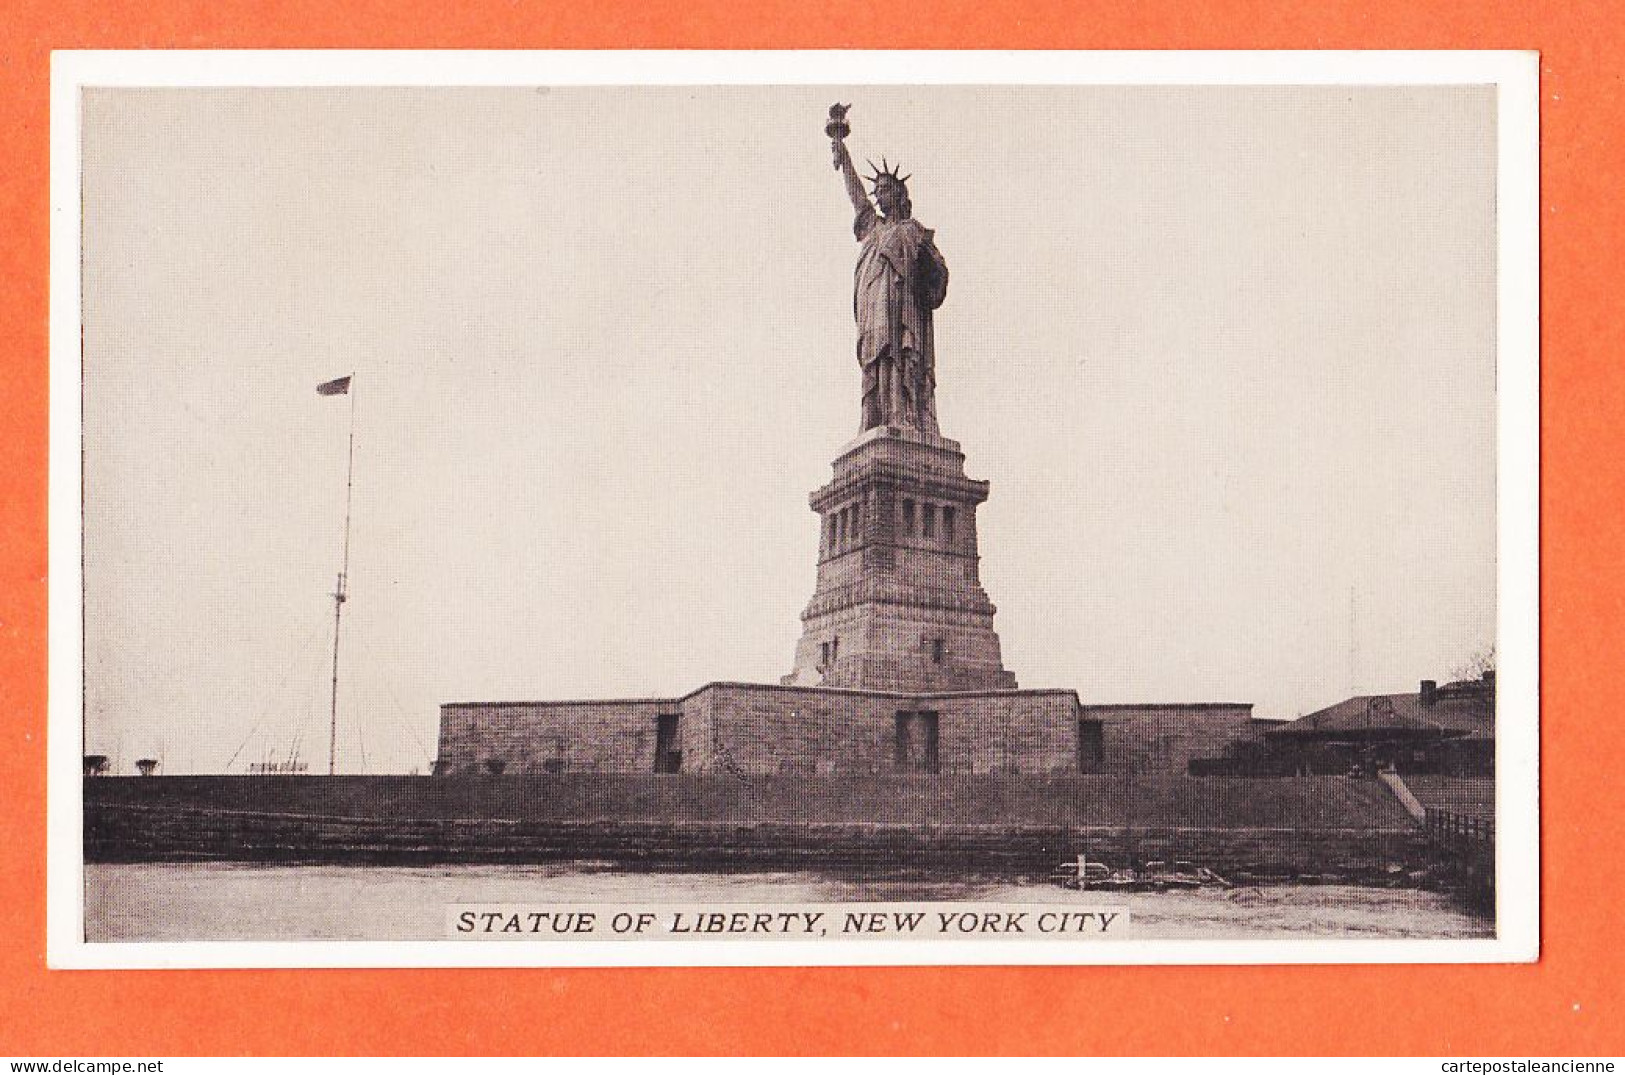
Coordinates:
(1226,356)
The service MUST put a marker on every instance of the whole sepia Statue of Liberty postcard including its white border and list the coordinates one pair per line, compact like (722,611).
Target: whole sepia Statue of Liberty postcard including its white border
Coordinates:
(724,509)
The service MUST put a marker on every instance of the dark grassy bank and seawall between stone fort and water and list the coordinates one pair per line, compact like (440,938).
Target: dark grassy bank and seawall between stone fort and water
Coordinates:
(986,824)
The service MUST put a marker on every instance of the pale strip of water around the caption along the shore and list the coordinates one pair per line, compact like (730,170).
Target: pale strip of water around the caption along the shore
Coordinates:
(235,902)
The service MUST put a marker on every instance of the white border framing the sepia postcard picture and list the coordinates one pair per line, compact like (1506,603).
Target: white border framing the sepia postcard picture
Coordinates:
(1519,222)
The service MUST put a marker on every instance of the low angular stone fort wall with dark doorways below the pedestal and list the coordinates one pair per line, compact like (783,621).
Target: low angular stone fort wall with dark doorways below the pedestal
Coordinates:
(761,728)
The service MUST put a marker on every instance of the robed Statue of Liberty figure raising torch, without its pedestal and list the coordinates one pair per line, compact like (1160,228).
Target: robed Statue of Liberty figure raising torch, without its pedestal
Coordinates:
(899,282)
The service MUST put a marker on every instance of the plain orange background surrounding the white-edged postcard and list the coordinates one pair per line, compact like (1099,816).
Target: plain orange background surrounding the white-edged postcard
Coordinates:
(1567,1004)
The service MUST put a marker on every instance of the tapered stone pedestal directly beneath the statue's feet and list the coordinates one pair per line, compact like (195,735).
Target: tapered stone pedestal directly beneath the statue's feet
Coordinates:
(899,602)
